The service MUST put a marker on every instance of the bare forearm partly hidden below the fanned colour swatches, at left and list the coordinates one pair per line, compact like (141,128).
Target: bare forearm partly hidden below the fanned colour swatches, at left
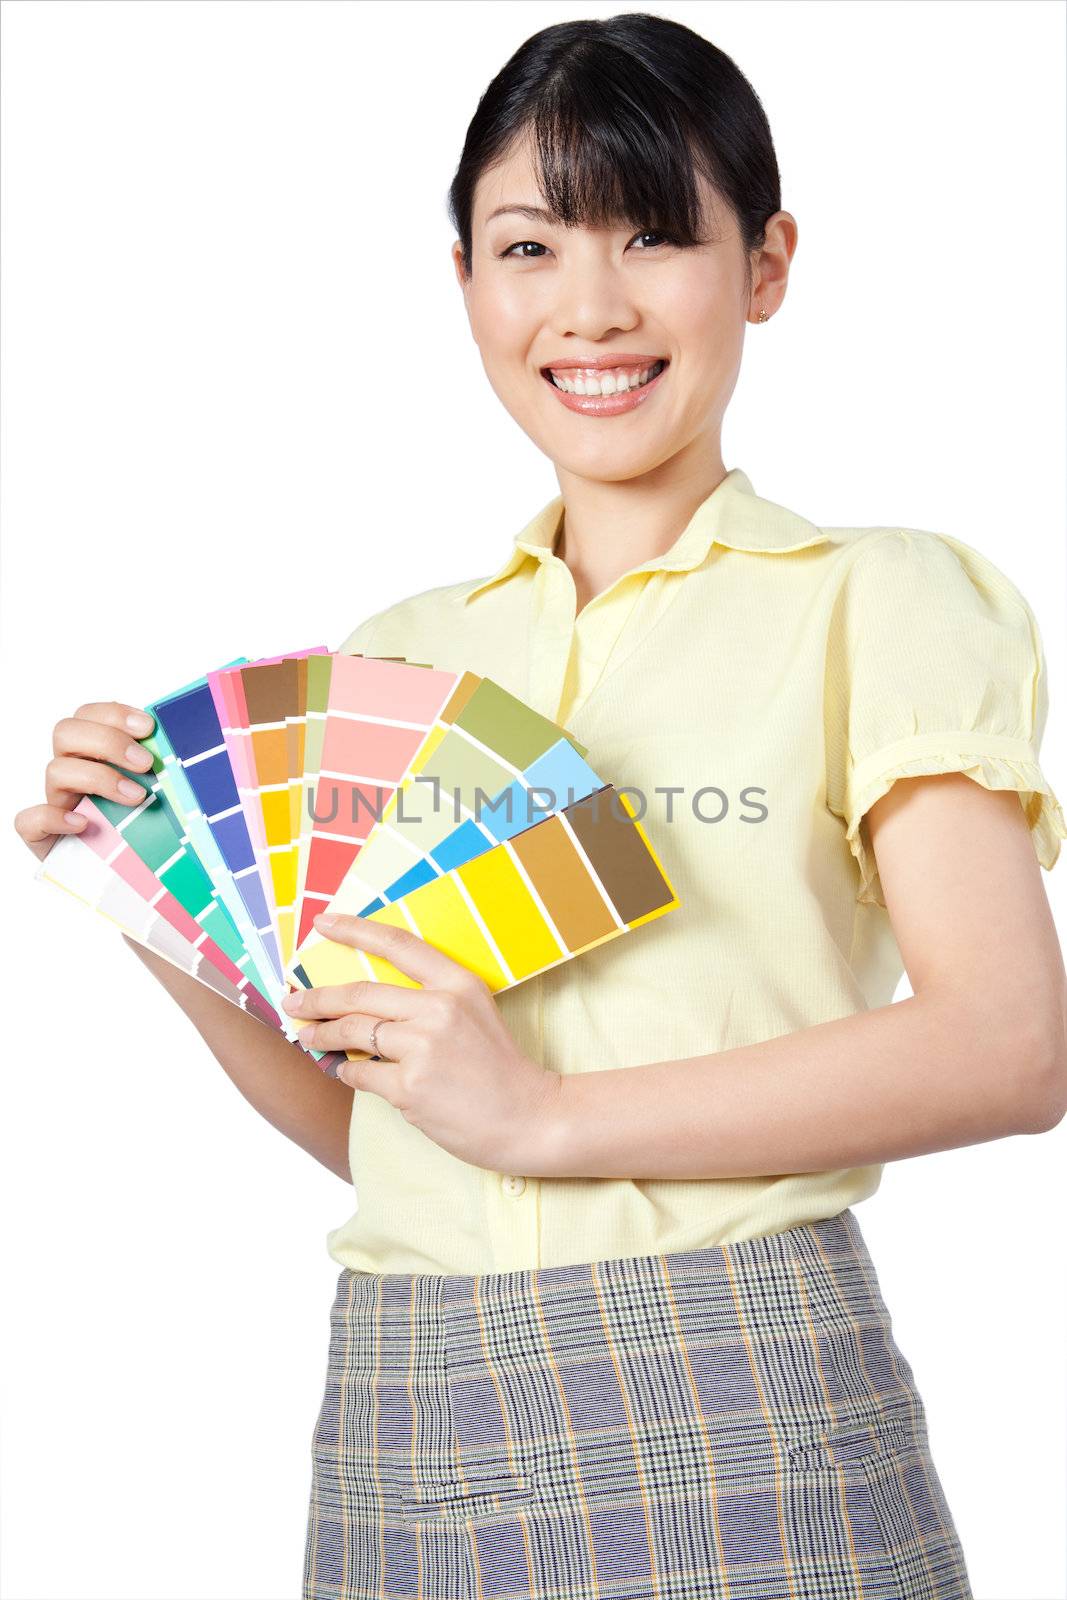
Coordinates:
(274,1076)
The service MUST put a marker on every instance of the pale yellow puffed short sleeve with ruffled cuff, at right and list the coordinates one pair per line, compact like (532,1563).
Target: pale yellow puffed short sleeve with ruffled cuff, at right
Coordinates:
(935,665)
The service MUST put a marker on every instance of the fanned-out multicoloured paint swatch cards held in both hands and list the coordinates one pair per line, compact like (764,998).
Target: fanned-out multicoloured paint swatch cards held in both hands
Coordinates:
(370,786)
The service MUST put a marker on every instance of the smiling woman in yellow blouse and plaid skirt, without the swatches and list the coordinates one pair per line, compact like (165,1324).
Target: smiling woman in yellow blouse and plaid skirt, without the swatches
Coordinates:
(605,1321)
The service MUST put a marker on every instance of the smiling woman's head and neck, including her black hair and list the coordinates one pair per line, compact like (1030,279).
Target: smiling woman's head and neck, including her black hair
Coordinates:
(620,222)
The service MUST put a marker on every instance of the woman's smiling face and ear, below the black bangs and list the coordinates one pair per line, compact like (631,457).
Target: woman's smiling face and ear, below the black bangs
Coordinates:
(541,297)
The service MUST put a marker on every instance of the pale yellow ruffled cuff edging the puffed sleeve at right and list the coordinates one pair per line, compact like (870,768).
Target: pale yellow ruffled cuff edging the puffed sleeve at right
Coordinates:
(999,764)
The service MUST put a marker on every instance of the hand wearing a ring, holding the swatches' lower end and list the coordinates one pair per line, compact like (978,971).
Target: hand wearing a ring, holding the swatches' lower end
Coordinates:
(452,1068)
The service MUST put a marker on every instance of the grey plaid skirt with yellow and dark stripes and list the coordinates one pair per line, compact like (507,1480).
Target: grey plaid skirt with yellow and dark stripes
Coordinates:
(733,1422)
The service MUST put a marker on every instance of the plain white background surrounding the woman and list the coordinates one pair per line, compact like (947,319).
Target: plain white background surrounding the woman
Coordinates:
(231,329)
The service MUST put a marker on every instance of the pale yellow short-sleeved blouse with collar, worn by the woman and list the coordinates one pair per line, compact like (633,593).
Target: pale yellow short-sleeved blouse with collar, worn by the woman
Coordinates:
(756,689)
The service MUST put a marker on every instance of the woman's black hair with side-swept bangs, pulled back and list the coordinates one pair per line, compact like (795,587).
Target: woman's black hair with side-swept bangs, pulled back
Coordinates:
(623,113)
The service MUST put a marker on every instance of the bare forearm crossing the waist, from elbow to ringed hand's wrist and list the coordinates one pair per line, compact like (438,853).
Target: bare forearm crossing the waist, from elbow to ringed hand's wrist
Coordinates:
(901,1081)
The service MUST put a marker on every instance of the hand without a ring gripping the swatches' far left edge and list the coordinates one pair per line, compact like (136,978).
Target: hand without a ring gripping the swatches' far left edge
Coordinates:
(84,745)
